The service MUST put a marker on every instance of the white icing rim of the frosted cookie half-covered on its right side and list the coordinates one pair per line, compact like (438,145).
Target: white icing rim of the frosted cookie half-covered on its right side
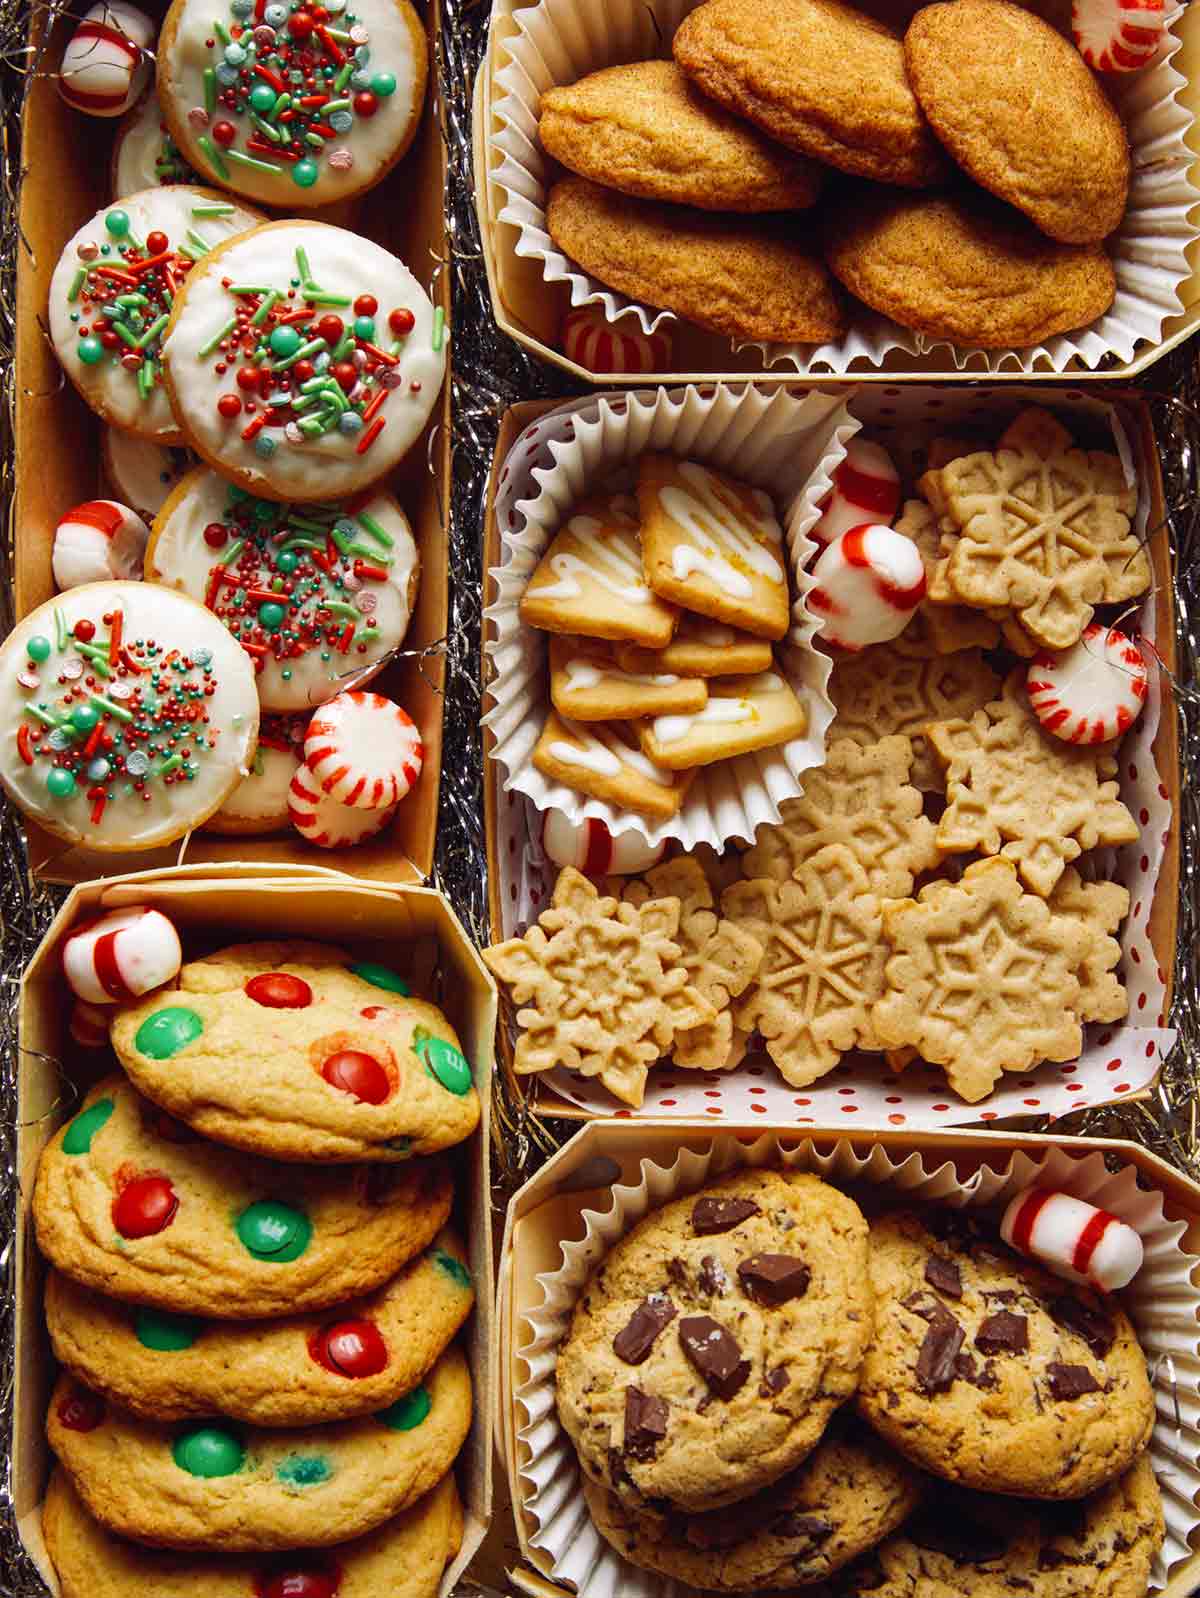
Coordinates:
(109,388)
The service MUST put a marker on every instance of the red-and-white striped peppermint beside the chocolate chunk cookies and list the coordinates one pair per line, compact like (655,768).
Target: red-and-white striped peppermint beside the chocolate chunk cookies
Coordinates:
(1073,1238)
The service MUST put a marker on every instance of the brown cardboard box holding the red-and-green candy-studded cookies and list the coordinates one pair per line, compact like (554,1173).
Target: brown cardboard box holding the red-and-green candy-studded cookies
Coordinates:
(407,928)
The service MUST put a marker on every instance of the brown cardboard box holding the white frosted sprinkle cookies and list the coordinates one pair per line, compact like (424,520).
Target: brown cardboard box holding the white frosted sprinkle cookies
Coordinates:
(58,459)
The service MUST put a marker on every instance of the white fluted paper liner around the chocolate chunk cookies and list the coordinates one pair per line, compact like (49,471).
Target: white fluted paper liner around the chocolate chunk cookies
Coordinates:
(1162,1303)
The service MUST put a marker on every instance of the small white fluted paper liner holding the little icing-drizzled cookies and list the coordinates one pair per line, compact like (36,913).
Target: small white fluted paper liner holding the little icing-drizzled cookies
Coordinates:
(777,442)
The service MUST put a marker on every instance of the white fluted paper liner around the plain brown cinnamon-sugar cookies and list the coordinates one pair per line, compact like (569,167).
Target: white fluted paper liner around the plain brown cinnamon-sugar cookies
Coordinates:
(557,42)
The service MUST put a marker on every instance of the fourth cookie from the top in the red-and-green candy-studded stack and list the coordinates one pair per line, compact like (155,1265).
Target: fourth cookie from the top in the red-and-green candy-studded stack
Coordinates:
(215,1484)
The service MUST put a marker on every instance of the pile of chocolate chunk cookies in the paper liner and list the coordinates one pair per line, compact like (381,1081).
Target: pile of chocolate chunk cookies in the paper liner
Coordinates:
(768,1394)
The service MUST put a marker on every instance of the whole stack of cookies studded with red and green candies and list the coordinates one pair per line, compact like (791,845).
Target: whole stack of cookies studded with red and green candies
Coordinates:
(256,1287)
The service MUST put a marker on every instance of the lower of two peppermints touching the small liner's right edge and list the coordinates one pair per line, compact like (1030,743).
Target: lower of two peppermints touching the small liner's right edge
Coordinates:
(868,582)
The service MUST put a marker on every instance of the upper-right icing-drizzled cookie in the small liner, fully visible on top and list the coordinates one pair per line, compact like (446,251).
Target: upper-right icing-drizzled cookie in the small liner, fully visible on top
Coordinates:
(713,546)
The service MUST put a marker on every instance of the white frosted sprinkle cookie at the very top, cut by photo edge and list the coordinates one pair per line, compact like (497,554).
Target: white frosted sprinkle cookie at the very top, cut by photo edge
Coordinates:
(292,103)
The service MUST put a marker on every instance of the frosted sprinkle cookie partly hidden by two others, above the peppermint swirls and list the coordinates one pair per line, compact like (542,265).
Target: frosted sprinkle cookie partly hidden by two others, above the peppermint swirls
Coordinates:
(314,603)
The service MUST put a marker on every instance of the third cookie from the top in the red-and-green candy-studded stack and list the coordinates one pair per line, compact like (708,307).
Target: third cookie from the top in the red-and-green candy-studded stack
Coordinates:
(301,1370)
